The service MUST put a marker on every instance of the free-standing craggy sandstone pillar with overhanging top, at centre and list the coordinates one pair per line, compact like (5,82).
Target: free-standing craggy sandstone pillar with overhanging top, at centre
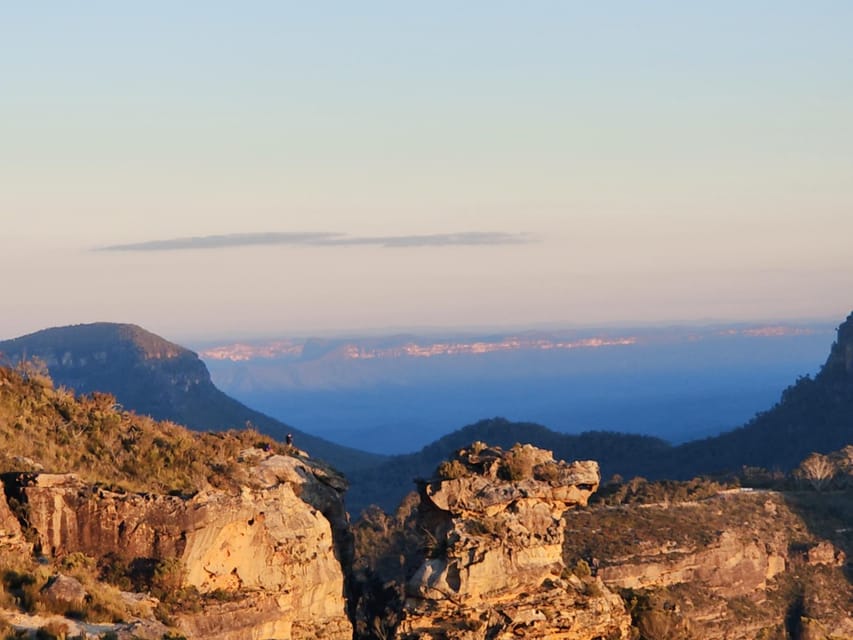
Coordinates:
(497,570)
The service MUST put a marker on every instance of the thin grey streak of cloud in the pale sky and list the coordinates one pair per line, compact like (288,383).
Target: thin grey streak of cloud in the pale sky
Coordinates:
(326,239)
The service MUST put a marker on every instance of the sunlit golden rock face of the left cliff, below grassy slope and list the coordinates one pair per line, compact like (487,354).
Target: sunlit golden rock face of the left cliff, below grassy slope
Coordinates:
(274,541)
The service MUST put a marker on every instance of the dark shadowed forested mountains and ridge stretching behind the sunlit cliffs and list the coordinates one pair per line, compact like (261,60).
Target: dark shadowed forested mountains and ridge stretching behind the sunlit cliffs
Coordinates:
(156,377)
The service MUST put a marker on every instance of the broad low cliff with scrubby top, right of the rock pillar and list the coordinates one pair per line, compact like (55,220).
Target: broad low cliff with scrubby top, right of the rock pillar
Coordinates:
(736,566)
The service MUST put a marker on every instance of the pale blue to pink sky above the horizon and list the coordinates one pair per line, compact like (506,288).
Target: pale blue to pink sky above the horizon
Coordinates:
(208,169)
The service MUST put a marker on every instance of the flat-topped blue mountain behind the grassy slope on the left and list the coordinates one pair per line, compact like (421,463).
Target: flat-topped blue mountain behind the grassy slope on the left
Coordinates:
(150,375)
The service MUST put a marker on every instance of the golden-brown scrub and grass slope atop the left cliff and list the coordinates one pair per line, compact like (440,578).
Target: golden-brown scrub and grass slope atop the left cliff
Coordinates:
(48,428)
